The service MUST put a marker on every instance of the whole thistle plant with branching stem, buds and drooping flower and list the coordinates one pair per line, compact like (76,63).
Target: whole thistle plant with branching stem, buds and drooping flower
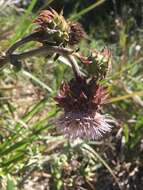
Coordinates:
(82,96)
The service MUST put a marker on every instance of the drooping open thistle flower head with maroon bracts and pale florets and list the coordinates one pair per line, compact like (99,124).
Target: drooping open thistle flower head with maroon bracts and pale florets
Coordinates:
(81,101)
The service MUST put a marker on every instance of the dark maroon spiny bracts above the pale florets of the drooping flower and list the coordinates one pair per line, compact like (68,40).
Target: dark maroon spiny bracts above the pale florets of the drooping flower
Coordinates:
(81,96)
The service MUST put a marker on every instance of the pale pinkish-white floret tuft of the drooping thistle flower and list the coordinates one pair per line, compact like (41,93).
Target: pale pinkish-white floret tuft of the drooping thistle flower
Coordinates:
(83,125)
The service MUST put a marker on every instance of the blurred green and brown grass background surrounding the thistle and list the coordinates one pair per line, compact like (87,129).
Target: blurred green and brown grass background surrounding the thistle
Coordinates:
(32,155)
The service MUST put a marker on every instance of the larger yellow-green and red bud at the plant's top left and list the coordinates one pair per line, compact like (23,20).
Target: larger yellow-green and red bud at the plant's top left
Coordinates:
(54,25)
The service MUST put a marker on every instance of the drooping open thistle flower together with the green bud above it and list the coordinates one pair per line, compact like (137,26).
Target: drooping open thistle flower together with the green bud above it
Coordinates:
(82,97)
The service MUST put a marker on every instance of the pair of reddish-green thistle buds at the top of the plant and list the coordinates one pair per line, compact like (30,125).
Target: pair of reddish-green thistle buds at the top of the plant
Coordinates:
(57,30)
